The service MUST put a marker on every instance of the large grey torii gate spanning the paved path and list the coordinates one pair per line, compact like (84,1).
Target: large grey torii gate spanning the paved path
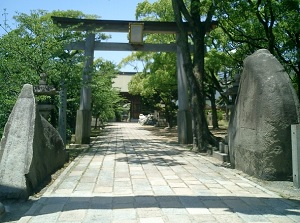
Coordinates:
(83,120)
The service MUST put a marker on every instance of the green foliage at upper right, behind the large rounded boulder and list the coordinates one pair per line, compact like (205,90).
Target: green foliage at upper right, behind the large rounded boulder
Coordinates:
(246,26)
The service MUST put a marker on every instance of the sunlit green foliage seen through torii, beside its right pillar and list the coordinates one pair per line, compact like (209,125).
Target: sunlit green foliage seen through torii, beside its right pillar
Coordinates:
(157,82)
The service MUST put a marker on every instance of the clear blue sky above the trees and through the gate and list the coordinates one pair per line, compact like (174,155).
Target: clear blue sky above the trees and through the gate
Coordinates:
(105,9)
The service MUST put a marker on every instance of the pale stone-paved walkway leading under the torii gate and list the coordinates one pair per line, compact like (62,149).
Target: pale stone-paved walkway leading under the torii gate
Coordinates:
(130,175)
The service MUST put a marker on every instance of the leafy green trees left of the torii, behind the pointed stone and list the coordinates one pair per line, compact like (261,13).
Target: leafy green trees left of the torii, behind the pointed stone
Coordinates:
(37,46)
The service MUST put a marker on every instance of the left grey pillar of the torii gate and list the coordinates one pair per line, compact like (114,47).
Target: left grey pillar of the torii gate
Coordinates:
(84,115)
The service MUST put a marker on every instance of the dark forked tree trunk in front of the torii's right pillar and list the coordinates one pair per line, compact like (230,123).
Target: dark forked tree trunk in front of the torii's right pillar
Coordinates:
(194,66)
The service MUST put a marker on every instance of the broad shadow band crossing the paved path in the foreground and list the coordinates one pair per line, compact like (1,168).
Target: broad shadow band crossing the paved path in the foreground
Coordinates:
(243,205)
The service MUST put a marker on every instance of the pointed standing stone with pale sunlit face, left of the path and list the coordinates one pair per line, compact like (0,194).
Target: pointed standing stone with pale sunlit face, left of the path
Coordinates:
(31,149)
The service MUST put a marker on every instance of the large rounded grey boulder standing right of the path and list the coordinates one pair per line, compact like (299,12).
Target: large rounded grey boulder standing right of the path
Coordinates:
(260,126)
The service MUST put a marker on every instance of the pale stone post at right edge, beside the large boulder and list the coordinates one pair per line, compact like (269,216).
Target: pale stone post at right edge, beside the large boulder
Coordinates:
(295,131)
